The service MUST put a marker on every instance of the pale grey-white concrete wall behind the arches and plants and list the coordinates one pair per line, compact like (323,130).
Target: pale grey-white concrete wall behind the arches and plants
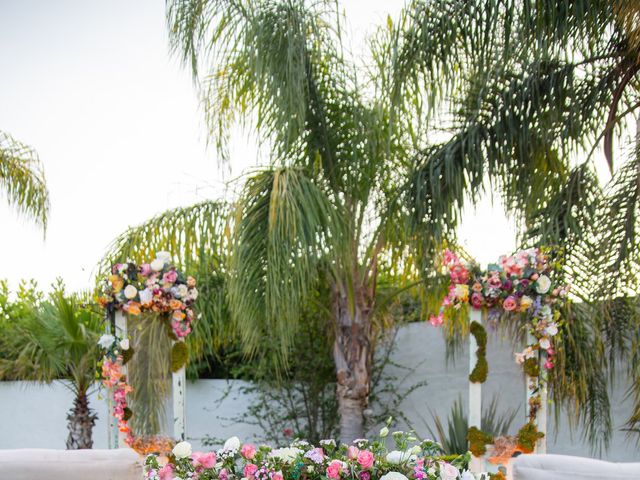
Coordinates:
(35,416)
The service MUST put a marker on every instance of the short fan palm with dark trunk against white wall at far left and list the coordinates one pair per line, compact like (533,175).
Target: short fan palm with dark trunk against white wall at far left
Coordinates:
(57,341)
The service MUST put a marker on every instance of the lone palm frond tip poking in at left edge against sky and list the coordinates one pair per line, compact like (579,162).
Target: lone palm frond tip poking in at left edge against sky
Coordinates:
(22,179)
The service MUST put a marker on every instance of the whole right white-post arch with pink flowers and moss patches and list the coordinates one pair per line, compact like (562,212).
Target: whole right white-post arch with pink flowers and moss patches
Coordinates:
(523,284)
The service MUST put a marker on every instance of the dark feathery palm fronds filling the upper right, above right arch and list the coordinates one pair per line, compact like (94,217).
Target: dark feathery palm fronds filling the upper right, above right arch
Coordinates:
(536,88)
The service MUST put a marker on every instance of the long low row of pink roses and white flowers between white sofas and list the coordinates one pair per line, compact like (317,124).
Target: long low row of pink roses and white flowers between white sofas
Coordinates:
(362,460)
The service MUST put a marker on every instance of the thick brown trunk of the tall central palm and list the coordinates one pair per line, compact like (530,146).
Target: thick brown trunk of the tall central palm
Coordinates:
(352,356)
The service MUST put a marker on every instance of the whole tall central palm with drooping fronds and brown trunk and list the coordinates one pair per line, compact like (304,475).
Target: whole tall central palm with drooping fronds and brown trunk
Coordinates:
(327,208)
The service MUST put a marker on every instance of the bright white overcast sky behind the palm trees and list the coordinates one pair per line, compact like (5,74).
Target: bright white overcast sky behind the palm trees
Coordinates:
(116,121)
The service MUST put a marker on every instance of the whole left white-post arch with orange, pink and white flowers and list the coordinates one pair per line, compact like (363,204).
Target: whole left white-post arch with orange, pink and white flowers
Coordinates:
(159,291)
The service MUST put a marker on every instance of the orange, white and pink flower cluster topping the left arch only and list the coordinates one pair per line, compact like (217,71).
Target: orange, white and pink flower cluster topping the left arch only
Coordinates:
(152,287)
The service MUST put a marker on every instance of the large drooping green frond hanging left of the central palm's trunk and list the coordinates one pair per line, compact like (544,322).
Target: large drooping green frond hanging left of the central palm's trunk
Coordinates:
(284,227)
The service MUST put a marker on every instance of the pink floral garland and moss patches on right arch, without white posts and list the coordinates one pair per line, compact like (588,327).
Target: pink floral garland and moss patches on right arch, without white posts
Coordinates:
(519,284)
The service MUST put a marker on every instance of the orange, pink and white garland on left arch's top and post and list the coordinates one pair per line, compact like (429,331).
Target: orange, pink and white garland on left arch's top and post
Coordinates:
(155,287)
